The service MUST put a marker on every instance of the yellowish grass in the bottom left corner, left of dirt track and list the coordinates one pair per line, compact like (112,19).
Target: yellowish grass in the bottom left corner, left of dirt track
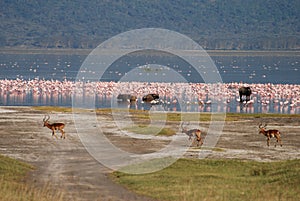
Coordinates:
(12,187)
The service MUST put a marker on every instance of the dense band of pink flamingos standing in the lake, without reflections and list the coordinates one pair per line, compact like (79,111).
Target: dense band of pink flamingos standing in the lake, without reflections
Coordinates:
(279,96)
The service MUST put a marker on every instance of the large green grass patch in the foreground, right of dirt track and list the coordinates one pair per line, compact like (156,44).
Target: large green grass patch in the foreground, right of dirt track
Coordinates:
(209,179)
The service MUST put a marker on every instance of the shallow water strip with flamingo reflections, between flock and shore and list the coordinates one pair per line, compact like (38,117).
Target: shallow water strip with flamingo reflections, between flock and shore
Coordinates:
(108,101)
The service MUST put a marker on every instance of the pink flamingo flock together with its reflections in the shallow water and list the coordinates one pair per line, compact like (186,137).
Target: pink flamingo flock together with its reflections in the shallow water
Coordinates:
(184,97)
